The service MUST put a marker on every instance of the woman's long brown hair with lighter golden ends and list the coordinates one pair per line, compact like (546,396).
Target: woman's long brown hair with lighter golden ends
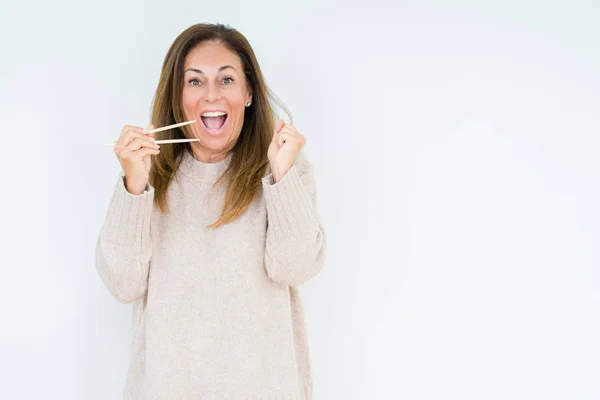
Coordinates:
(249,160)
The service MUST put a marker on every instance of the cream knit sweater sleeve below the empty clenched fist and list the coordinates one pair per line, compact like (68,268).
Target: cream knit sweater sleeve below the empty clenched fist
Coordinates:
(296,243)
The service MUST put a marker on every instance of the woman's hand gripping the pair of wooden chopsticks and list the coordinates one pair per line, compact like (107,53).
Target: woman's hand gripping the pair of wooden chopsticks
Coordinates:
(134,150)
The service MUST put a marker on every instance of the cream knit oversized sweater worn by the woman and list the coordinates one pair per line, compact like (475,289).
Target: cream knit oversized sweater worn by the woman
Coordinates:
(216,312)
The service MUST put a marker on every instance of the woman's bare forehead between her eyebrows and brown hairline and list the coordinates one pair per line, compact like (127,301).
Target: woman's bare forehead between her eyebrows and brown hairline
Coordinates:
(209,56)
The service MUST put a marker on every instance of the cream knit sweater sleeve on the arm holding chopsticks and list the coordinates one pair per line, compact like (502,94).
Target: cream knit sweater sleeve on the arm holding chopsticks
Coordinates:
(124,245)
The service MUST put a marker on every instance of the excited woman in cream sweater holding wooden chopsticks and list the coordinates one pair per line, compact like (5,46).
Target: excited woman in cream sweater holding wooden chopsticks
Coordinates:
(210,239)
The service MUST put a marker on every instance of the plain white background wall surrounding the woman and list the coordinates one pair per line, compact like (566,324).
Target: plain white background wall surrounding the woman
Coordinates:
(456,152)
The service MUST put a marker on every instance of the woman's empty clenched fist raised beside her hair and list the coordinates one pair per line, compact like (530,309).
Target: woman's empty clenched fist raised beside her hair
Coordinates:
(285,146)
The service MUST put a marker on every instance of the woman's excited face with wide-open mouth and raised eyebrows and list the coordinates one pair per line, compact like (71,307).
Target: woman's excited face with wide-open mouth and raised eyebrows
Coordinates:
(215,94)
